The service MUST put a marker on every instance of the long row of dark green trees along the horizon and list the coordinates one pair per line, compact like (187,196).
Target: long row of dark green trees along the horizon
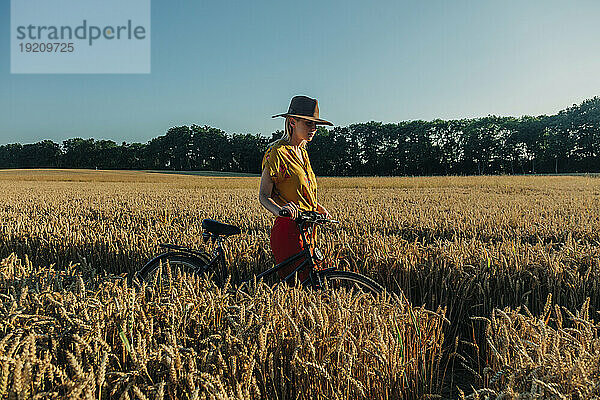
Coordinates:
(566,142)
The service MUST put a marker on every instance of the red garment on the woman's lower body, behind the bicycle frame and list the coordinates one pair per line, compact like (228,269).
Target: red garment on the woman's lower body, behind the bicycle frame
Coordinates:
(285,242)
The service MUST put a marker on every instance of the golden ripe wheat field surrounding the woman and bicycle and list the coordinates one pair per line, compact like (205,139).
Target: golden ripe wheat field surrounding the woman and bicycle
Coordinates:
(492,290)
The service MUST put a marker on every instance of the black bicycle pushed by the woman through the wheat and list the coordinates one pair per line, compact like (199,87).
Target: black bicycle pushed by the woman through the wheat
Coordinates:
(199,262)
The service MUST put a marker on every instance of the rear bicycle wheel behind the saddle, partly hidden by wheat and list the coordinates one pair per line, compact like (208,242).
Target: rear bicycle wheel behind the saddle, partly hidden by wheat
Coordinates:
(197,263)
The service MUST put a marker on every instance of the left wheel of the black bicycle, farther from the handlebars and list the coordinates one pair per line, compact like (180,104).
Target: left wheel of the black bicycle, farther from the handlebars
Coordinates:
(168,265)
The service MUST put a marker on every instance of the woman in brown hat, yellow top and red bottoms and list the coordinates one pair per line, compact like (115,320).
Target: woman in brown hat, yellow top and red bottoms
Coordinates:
(288,181)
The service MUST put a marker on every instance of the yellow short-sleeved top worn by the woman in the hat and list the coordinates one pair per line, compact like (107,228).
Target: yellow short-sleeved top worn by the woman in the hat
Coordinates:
(293,176)
